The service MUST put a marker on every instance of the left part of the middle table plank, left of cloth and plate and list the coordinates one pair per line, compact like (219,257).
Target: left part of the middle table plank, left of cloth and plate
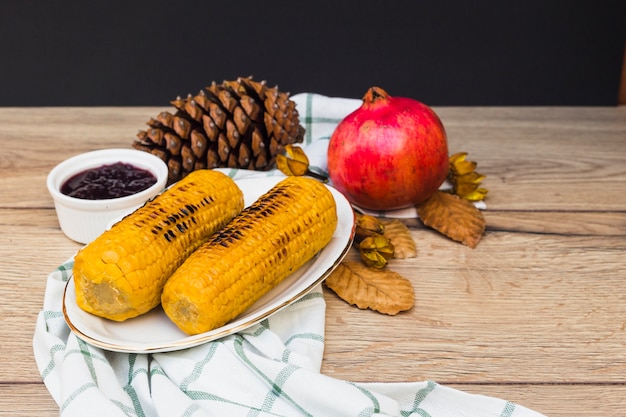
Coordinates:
(26,272)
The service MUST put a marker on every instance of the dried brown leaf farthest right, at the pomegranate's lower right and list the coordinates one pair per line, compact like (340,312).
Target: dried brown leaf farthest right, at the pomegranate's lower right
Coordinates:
(454,217)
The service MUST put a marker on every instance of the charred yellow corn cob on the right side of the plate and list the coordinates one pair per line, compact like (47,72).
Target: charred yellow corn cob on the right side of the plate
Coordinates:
(260,247)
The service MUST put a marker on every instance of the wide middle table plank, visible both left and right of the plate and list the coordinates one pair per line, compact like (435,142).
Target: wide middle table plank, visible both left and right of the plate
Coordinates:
(475,311)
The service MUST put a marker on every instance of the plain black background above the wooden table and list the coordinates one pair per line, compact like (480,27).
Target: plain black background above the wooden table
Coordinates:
(101,53)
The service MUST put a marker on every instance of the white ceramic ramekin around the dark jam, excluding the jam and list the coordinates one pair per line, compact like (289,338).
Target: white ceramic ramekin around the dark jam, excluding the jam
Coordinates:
(83,220)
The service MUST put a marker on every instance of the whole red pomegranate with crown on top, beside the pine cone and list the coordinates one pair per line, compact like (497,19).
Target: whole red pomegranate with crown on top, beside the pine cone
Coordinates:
(390,153)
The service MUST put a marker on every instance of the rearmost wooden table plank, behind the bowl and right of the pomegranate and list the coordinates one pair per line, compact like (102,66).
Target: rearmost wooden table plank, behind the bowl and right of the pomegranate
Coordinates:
(562,155)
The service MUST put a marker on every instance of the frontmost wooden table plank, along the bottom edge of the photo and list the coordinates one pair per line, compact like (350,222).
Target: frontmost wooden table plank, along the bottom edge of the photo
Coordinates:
(562,400)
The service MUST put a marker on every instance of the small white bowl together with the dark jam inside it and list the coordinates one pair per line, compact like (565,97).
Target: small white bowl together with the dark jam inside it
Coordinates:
(92,189)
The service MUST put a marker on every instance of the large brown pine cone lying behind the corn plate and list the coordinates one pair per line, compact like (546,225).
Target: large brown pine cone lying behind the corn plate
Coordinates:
(235,124)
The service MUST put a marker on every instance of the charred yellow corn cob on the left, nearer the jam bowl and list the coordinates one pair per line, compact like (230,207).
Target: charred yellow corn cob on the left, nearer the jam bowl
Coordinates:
(122,272)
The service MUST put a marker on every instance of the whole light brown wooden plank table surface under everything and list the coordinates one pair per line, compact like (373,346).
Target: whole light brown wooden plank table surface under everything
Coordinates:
(536,314)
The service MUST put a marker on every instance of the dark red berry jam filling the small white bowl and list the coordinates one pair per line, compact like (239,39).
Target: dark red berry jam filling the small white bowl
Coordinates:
(108,181)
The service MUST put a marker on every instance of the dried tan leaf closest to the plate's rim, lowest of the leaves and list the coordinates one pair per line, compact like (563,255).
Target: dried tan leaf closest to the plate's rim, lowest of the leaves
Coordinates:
(384,291)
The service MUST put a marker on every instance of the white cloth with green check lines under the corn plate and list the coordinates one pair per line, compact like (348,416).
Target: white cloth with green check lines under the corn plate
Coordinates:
(269,369)
